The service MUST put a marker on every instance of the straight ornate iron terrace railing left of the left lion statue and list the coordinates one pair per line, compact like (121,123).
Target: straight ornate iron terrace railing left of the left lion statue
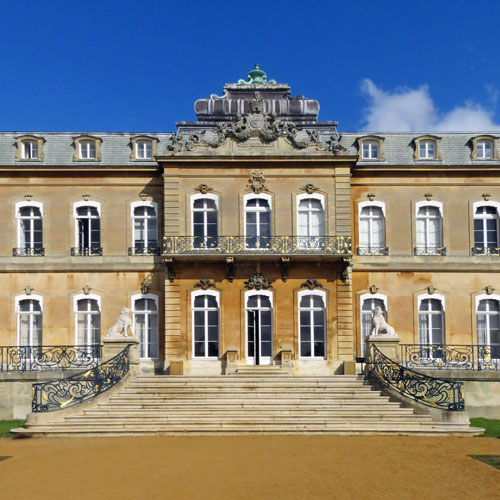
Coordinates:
(37,358)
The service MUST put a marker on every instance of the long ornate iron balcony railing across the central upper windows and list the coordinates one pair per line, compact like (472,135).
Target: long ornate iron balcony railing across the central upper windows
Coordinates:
(271,245)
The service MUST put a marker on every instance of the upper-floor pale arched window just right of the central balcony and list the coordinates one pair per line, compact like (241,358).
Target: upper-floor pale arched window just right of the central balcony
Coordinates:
(372,229)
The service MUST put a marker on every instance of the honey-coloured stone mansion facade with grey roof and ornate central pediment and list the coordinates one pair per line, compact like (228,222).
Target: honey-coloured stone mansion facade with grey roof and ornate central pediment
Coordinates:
(256,231)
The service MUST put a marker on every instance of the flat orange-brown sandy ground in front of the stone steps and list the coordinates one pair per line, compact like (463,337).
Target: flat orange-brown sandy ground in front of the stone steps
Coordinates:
(357,467)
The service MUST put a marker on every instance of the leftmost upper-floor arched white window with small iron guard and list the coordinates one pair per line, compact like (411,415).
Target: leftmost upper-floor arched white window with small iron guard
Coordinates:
(30,232)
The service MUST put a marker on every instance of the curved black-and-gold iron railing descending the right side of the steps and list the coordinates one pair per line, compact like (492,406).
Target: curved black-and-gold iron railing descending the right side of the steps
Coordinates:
(437,393)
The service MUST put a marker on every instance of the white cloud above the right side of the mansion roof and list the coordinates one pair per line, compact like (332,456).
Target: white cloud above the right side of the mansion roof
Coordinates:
(405,110)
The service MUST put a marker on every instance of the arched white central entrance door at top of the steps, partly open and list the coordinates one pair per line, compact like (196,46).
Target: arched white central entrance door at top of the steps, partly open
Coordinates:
(259,330)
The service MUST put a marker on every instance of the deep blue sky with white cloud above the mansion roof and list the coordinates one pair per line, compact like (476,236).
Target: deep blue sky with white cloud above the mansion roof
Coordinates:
(139,65)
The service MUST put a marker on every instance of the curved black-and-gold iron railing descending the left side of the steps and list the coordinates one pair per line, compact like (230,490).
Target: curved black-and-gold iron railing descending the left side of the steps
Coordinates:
(67,392)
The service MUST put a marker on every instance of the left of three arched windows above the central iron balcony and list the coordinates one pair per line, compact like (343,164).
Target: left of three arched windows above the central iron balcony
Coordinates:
(205,220)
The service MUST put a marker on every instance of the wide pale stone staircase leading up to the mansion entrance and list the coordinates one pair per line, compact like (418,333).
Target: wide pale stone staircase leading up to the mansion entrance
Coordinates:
(244,404)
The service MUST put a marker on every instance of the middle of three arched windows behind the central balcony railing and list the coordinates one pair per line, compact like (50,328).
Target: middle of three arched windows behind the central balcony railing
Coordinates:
(257,221)
